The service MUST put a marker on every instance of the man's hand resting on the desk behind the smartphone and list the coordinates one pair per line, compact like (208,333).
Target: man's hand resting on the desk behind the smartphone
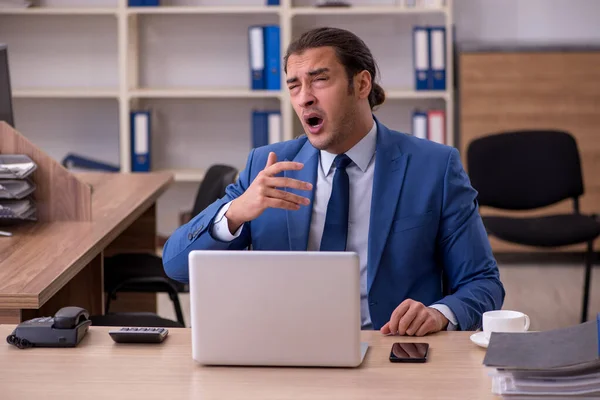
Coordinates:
(414,319)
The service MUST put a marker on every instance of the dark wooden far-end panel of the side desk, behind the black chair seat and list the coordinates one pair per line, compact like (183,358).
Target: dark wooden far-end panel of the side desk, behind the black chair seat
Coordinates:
(139,237)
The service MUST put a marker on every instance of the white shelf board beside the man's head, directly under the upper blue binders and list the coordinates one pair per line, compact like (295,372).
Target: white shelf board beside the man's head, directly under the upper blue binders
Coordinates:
(203,93)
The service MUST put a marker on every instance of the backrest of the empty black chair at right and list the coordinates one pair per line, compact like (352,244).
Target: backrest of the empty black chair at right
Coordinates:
(521,170)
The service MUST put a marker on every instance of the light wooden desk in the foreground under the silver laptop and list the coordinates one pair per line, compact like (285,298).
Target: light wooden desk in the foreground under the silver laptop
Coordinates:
(102,369)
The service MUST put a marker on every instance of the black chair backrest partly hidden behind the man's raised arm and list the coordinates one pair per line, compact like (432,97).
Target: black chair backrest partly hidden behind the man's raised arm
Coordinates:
(213,186)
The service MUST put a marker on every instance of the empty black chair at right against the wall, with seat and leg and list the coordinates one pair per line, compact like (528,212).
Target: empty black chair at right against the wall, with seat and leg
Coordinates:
(529,169)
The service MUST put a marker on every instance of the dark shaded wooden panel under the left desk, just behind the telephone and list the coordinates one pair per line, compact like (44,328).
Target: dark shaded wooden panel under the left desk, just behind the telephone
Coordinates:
(84,290)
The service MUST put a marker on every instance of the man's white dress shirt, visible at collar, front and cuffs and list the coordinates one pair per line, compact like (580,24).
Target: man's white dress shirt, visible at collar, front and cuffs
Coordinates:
(360,173)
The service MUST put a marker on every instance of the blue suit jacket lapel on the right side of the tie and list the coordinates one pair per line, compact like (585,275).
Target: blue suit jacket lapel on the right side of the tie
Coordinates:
(390,167)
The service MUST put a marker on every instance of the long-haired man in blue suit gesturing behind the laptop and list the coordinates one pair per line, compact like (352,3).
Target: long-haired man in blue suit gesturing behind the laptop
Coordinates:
(404,205)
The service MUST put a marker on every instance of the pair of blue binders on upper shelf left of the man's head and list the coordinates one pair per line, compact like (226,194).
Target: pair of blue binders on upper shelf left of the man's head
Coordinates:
(264,54)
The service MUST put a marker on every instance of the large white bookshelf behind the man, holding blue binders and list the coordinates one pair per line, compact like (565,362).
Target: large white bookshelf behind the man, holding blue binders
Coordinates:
(83,65)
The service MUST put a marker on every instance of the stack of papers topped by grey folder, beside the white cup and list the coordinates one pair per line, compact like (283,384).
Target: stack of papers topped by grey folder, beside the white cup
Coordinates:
(552,364)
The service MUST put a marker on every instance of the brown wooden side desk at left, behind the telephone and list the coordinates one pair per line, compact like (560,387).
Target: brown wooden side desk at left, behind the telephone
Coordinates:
(45,266)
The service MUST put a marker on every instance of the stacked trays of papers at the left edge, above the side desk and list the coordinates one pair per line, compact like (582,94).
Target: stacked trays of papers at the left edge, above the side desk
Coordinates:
(16,188)
